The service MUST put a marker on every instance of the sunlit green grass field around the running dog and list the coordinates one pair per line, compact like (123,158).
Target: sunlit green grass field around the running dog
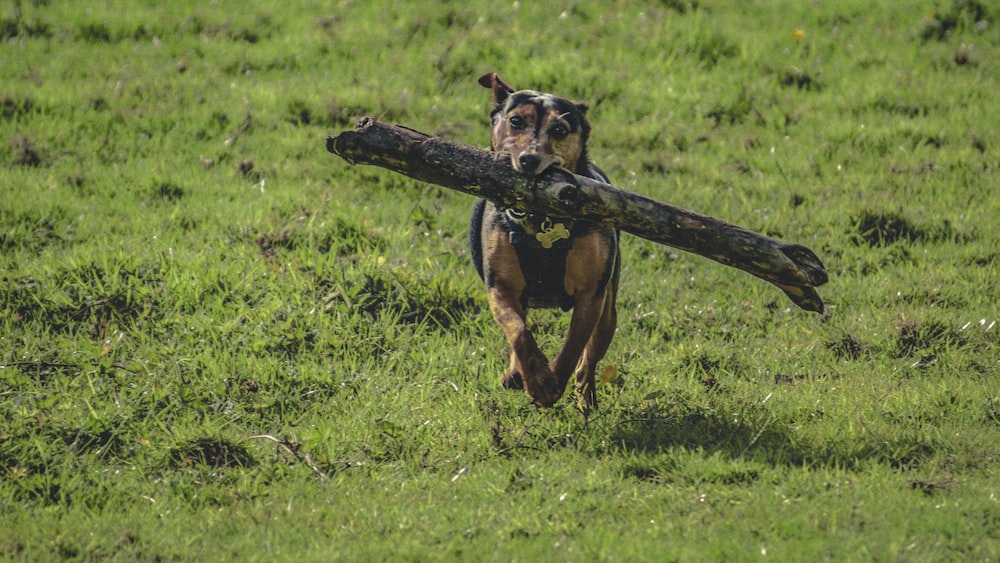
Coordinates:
(217,341)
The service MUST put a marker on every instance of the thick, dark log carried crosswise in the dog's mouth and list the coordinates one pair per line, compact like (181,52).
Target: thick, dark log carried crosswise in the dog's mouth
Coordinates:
(558,193)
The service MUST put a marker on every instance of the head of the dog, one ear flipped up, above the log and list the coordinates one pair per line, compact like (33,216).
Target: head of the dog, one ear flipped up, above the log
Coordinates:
(536,129)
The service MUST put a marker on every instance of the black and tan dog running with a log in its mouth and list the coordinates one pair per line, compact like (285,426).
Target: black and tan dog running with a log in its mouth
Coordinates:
(533,261)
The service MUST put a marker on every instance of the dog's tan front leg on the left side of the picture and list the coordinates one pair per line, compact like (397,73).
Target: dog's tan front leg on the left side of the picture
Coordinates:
(528,366)
